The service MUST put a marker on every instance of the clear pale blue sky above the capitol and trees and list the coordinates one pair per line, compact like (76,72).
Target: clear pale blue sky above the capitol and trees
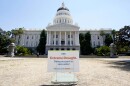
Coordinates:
(89,14)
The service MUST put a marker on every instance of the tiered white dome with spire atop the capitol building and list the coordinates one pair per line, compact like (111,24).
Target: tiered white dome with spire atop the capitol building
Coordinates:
(63,16)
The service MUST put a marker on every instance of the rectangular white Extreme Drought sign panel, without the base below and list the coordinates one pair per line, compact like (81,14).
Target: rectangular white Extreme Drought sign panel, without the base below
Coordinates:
(63,61)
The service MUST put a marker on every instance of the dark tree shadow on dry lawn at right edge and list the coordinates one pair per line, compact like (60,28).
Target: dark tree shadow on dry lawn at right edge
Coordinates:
(123,65)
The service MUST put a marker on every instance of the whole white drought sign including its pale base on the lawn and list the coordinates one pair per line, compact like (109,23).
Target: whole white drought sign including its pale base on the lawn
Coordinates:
(64,64)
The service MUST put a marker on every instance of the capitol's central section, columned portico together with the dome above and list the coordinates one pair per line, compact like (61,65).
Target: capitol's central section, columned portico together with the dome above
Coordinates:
(62,34)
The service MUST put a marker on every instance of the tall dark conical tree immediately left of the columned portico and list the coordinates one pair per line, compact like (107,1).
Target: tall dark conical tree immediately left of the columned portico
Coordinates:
(42,43)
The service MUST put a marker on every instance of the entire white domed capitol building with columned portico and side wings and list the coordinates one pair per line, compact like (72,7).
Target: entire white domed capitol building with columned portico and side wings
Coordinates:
(62,34)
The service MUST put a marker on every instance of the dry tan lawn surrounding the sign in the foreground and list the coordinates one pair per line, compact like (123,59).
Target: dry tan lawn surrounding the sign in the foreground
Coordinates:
(93,72)
